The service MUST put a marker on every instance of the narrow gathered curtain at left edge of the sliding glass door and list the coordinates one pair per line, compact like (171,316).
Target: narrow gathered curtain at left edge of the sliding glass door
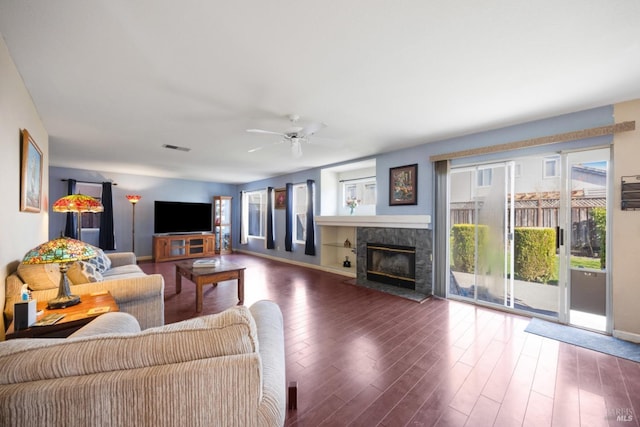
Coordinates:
(441,229)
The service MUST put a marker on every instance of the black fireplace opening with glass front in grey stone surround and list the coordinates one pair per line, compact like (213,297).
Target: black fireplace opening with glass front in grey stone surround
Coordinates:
(392,264)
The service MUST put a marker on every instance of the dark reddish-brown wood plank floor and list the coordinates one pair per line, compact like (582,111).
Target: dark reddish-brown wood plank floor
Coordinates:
(365,358)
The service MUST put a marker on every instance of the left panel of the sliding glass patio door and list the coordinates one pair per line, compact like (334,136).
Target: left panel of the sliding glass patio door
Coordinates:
(481,240)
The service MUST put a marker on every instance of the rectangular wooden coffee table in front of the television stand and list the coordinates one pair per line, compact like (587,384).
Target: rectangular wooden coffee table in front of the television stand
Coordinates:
(221,271)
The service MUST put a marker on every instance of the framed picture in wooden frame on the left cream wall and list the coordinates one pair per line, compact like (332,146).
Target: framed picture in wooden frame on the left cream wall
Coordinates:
(31,175)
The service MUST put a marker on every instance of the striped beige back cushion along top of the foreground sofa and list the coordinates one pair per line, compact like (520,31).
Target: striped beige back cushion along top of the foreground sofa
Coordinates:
(231,332)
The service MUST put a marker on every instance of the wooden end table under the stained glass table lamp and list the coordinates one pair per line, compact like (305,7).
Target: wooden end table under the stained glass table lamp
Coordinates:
(76,316)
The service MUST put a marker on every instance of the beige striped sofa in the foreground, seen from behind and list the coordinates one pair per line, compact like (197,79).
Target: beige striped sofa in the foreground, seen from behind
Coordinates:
(225,369)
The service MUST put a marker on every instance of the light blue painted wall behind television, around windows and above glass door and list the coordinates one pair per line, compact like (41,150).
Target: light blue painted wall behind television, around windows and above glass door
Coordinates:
(195,191)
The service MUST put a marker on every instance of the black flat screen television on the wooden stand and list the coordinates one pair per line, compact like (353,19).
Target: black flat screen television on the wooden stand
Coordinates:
(182,217)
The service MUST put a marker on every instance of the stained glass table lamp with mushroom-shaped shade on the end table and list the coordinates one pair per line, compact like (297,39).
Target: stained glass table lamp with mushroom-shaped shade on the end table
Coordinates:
(63,251)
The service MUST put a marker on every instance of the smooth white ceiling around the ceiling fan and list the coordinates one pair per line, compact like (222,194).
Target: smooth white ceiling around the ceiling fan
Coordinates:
(114,80)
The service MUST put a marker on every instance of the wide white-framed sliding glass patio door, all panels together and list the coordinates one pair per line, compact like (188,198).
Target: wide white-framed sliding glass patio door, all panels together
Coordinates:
(530,235)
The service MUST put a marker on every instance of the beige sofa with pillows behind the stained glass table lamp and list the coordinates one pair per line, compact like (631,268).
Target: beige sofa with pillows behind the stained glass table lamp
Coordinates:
(135,292)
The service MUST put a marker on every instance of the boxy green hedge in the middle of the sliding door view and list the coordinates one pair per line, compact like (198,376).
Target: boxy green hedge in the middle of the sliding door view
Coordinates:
(534,253)
